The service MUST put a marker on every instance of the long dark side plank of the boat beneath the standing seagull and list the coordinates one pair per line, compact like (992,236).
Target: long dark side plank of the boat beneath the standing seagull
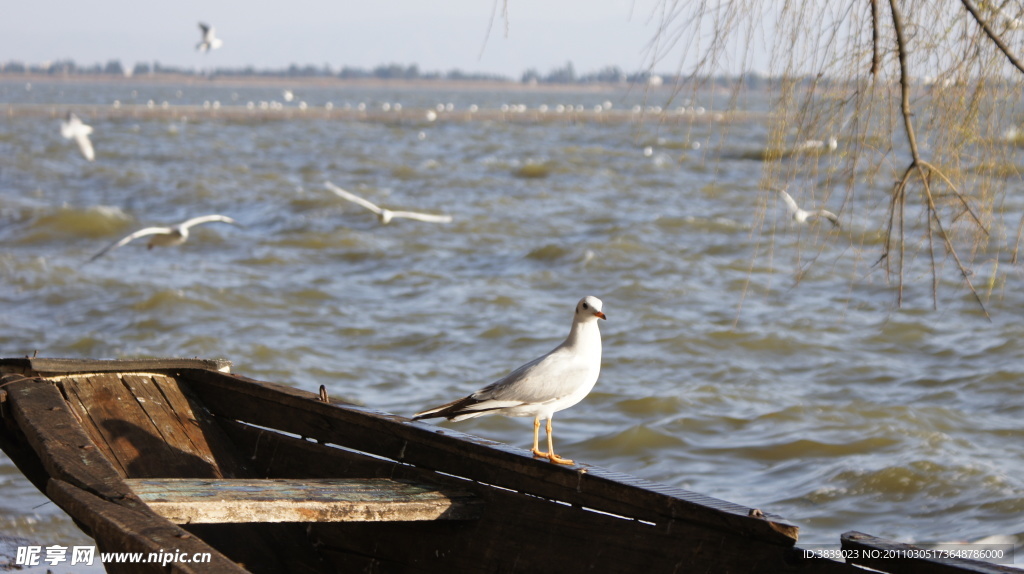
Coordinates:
(398,438)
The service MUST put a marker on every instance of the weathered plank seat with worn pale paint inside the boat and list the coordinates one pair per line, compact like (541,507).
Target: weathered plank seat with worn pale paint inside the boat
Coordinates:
(258,501)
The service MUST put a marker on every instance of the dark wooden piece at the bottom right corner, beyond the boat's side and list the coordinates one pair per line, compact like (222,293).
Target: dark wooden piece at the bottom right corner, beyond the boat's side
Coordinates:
(898,558)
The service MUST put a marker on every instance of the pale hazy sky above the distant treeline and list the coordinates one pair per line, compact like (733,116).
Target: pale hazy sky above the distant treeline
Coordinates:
(440,36)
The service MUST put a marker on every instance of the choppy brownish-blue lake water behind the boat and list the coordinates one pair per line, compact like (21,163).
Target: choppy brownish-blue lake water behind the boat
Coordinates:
(746,358)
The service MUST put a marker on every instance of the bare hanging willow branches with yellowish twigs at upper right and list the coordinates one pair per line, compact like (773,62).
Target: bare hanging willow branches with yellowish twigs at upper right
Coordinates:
(819,58)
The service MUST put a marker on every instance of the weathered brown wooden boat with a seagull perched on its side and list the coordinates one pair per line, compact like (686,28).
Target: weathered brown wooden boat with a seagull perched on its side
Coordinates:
(183,457)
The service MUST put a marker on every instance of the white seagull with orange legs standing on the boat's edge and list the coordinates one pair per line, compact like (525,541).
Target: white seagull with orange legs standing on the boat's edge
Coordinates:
(544,386)
